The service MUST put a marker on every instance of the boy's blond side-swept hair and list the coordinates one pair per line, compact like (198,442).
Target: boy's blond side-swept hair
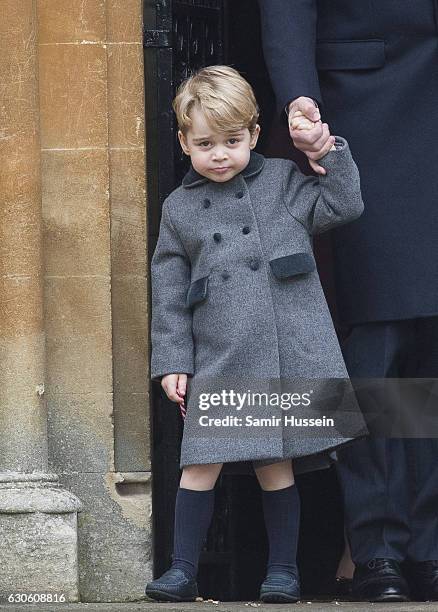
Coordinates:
(225,98)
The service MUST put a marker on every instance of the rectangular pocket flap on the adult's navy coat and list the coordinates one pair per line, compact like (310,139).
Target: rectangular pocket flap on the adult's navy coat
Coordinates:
(350,54)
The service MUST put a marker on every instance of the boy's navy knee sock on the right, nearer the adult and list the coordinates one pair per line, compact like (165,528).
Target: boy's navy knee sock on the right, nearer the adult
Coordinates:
(281,510)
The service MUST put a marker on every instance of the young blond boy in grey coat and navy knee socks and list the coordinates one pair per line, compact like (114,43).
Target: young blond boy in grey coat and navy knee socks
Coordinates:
(236,295)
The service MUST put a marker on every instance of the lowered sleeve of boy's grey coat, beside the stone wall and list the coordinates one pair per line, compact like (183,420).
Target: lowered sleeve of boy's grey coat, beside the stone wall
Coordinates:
(171,321)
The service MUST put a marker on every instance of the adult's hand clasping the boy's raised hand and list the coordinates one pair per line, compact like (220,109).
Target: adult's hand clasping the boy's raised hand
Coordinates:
(316,142)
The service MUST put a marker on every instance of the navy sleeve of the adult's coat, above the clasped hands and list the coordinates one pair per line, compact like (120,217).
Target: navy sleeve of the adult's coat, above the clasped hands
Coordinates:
(289,46)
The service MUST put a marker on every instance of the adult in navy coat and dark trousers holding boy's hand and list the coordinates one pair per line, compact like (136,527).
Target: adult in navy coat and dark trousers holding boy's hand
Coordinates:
(371,66)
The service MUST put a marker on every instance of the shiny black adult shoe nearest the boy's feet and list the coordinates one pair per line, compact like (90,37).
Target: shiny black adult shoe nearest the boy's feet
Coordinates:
(379,580)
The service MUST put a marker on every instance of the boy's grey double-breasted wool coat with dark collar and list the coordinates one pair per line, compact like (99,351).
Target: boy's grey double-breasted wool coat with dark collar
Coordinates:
(237,303)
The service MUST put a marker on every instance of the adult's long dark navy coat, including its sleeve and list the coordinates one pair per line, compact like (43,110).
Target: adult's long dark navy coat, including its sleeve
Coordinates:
(373,67)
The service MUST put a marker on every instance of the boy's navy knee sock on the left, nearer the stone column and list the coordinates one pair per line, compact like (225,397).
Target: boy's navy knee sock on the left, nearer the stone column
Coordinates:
(193,512)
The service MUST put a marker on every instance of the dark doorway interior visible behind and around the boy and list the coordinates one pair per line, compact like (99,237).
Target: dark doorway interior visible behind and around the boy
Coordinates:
(181,36)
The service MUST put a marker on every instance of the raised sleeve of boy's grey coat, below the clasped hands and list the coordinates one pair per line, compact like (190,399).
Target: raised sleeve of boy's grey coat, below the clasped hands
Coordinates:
(326,201)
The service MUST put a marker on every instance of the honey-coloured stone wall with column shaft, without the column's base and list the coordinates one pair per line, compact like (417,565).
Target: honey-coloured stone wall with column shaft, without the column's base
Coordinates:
(75,317)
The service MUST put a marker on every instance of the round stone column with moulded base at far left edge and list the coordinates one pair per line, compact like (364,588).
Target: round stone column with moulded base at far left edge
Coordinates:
(38,519)
